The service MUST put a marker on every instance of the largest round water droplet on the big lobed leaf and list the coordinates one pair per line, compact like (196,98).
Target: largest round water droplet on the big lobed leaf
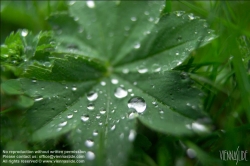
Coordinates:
(137,103)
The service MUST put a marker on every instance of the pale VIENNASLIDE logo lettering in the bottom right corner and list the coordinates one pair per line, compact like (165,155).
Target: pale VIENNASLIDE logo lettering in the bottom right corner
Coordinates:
(233,155)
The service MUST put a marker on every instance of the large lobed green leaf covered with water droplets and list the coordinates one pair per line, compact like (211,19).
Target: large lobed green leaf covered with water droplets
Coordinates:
(113,65)
